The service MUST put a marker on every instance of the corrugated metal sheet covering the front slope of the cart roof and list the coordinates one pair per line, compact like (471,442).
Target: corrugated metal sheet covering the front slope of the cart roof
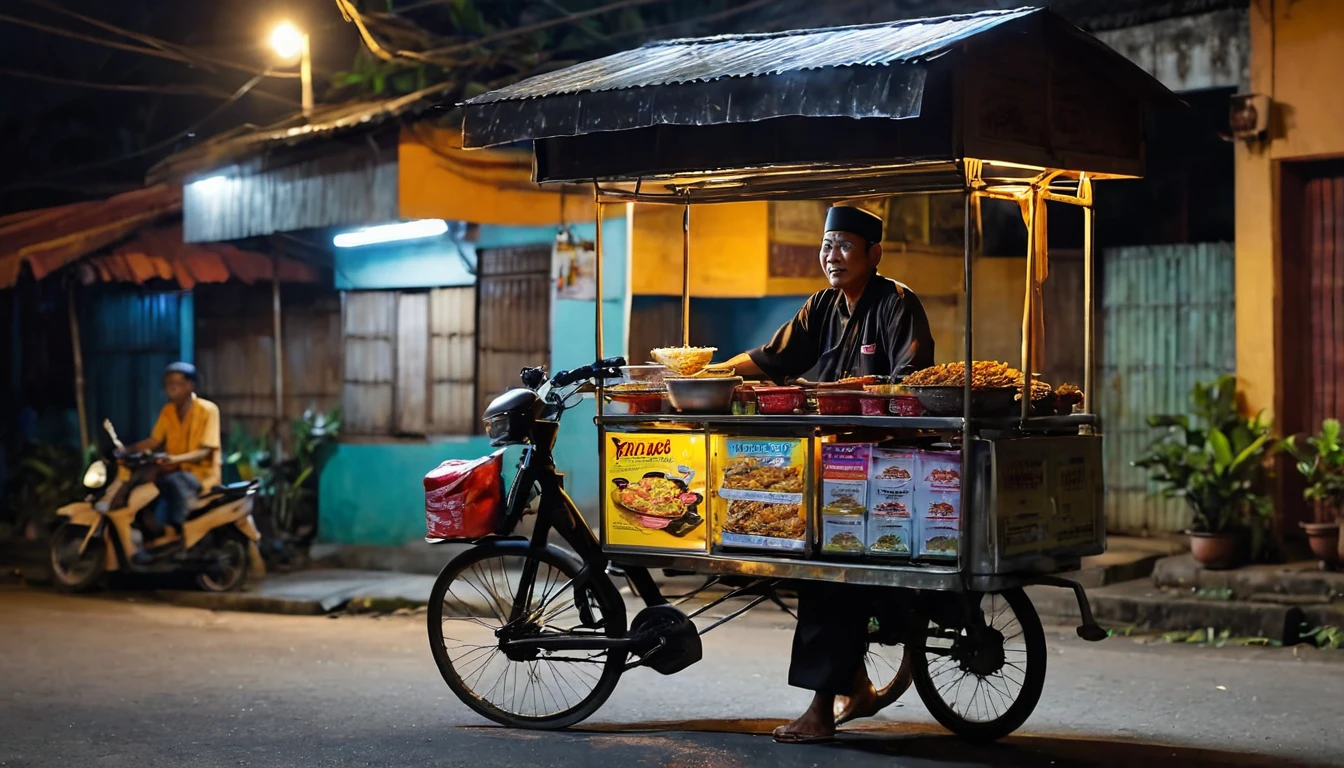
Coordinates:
(873,71)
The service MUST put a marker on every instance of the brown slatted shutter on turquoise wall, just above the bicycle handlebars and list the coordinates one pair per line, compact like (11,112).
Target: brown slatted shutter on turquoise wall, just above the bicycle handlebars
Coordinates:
(515,317)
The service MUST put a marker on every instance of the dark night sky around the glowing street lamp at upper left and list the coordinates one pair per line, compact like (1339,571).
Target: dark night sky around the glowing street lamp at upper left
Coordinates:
(48,132)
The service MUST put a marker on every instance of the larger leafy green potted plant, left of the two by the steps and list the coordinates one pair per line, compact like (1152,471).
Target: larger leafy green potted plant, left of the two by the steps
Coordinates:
(1216,461)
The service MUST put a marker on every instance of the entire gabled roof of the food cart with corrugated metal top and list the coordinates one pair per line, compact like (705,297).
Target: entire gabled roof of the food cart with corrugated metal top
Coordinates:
(1021,87)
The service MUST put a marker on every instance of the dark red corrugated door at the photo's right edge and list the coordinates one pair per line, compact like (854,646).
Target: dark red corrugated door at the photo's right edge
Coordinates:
(1326,305)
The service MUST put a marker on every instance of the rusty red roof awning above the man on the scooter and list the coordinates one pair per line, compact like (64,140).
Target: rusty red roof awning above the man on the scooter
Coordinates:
(134,237)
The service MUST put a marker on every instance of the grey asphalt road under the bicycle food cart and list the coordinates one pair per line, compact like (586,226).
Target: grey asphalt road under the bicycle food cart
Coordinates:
(126,683)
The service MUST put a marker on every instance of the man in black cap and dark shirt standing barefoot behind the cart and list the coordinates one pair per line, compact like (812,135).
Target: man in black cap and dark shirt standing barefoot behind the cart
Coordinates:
(864,325)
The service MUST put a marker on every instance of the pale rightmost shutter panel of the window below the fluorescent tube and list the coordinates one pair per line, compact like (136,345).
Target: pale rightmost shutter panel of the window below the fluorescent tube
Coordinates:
(452,353)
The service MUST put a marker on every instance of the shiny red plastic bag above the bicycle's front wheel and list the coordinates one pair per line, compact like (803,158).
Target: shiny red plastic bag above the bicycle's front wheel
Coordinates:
(464,500)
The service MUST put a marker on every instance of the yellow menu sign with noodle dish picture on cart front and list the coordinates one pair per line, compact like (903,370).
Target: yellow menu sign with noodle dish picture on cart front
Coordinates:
(655,492)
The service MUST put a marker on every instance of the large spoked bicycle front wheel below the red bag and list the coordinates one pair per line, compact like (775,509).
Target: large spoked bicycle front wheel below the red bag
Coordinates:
(470,621)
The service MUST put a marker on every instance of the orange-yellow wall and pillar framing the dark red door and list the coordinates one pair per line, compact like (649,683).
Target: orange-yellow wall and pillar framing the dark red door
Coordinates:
(1298,53)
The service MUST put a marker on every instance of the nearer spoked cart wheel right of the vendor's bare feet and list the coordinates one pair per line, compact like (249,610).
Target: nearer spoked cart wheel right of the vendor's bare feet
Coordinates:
(984,684)
